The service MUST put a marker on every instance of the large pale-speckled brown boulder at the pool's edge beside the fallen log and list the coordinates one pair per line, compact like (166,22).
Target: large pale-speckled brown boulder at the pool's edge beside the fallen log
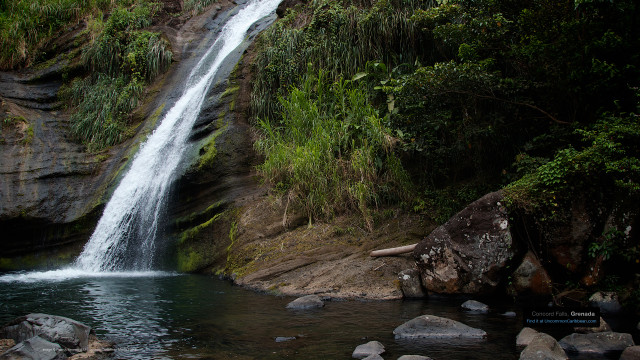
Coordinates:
(469,253)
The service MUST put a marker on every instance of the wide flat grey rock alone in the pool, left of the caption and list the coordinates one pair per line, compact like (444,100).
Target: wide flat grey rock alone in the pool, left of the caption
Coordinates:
(435,327)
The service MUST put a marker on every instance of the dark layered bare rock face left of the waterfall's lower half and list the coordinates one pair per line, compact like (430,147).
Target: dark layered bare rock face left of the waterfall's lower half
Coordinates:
(51,188)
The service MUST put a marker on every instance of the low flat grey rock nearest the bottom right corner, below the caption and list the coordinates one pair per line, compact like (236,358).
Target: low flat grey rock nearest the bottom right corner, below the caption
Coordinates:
(597,343)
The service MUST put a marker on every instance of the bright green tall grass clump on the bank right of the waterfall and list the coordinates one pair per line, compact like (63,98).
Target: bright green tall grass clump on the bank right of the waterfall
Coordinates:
(329,152)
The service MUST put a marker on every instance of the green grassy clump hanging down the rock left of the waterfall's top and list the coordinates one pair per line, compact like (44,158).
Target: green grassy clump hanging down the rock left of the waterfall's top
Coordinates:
(122,59)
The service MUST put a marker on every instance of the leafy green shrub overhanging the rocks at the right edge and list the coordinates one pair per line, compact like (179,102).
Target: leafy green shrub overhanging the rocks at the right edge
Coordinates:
(609,163)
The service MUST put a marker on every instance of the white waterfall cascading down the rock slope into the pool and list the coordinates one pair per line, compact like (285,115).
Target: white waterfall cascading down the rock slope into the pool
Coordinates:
(125,236)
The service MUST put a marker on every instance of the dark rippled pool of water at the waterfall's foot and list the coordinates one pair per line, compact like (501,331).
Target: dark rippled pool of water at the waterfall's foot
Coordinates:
(191,316)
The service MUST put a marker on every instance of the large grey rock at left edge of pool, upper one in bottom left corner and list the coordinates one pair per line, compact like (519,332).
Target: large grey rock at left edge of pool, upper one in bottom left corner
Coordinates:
(71,334)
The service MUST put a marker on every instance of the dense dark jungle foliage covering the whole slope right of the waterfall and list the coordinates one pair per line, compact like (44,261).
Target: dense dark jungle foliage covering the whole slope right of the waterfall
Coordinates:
(537,96)
